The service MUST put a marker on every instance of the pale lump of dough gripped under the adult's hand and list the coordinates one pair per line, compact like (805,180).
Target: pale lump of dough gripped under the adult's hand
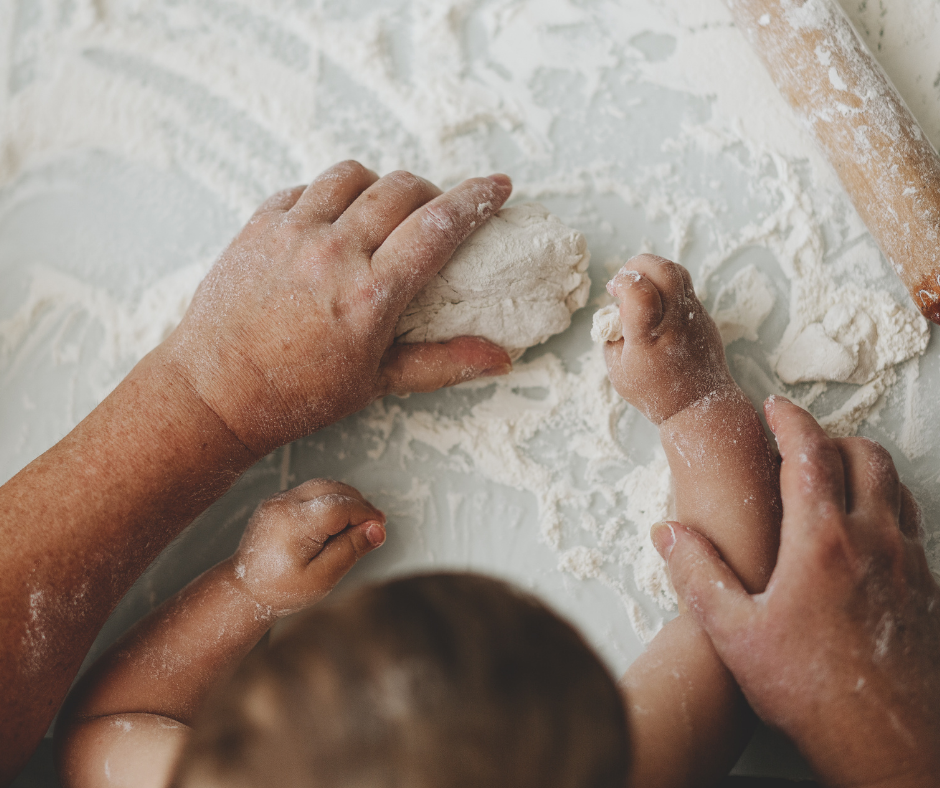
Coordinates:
(515,281)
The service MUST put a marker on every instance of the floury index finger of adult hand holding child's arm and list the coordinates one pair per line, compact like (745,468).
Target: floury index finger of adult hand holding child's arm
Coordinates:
(812,477)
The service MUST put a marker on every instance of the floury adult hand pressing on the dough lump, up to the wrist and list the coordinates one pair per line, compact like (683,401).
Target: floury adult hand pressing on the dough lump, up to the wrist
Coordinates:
(293,327)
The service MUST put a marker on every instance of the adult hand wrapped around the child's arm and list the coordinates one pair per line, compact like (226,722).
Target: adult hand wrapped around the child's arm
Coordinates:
(842,651)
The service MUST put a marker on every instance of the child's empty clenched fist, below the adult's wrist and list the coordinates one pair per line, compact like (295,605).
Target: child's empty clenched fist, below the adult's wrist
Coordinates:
(299,544)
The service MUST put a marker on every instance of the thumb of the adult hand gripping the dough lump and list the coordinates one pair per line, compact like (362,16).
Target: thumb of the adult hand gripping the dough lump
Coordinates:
(430,366)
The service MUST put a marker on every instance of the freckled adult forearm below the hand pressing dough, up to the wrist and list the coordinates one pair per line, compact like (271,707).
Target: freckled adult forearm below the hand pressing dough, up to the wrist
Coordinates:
(84,520)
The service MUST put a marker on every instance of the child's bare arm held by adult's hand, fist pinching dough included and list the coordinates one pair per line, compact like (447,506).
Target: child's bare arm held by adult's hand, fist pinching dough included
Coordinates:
(689,721)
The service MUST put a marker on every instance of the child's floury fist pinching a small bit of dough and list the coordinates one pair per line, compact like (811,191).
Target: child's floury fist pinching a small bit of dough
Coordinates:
(671,354)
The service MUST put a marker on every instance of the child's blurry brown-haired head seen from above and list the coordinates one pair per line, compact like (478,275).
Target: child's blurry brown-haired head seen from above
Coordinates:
(435,681)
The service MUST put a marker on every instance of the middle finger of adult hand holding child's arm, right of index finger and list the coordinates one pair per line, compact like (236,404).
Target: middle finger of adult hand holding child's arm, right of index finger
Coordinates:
(872,482)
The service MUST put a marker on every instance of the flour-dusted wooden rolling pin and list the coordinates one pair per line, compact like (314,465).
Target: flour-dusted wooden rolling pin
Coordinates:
(887,165)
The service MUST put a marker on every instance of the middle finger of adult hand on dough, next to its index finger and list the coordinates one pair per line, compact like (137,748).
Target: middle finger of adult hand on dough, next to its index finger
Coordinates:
(384,206)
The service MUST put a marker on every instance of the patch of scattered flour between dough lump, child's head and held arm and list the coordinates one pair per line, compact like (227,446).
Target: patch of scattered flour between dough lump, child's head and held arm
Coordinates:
(614,500)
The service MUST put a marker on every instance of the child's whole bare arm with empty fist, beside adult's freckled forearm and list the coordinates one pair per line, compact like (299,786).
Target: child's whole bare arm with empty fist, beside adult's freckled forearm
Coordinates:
(128,717)
